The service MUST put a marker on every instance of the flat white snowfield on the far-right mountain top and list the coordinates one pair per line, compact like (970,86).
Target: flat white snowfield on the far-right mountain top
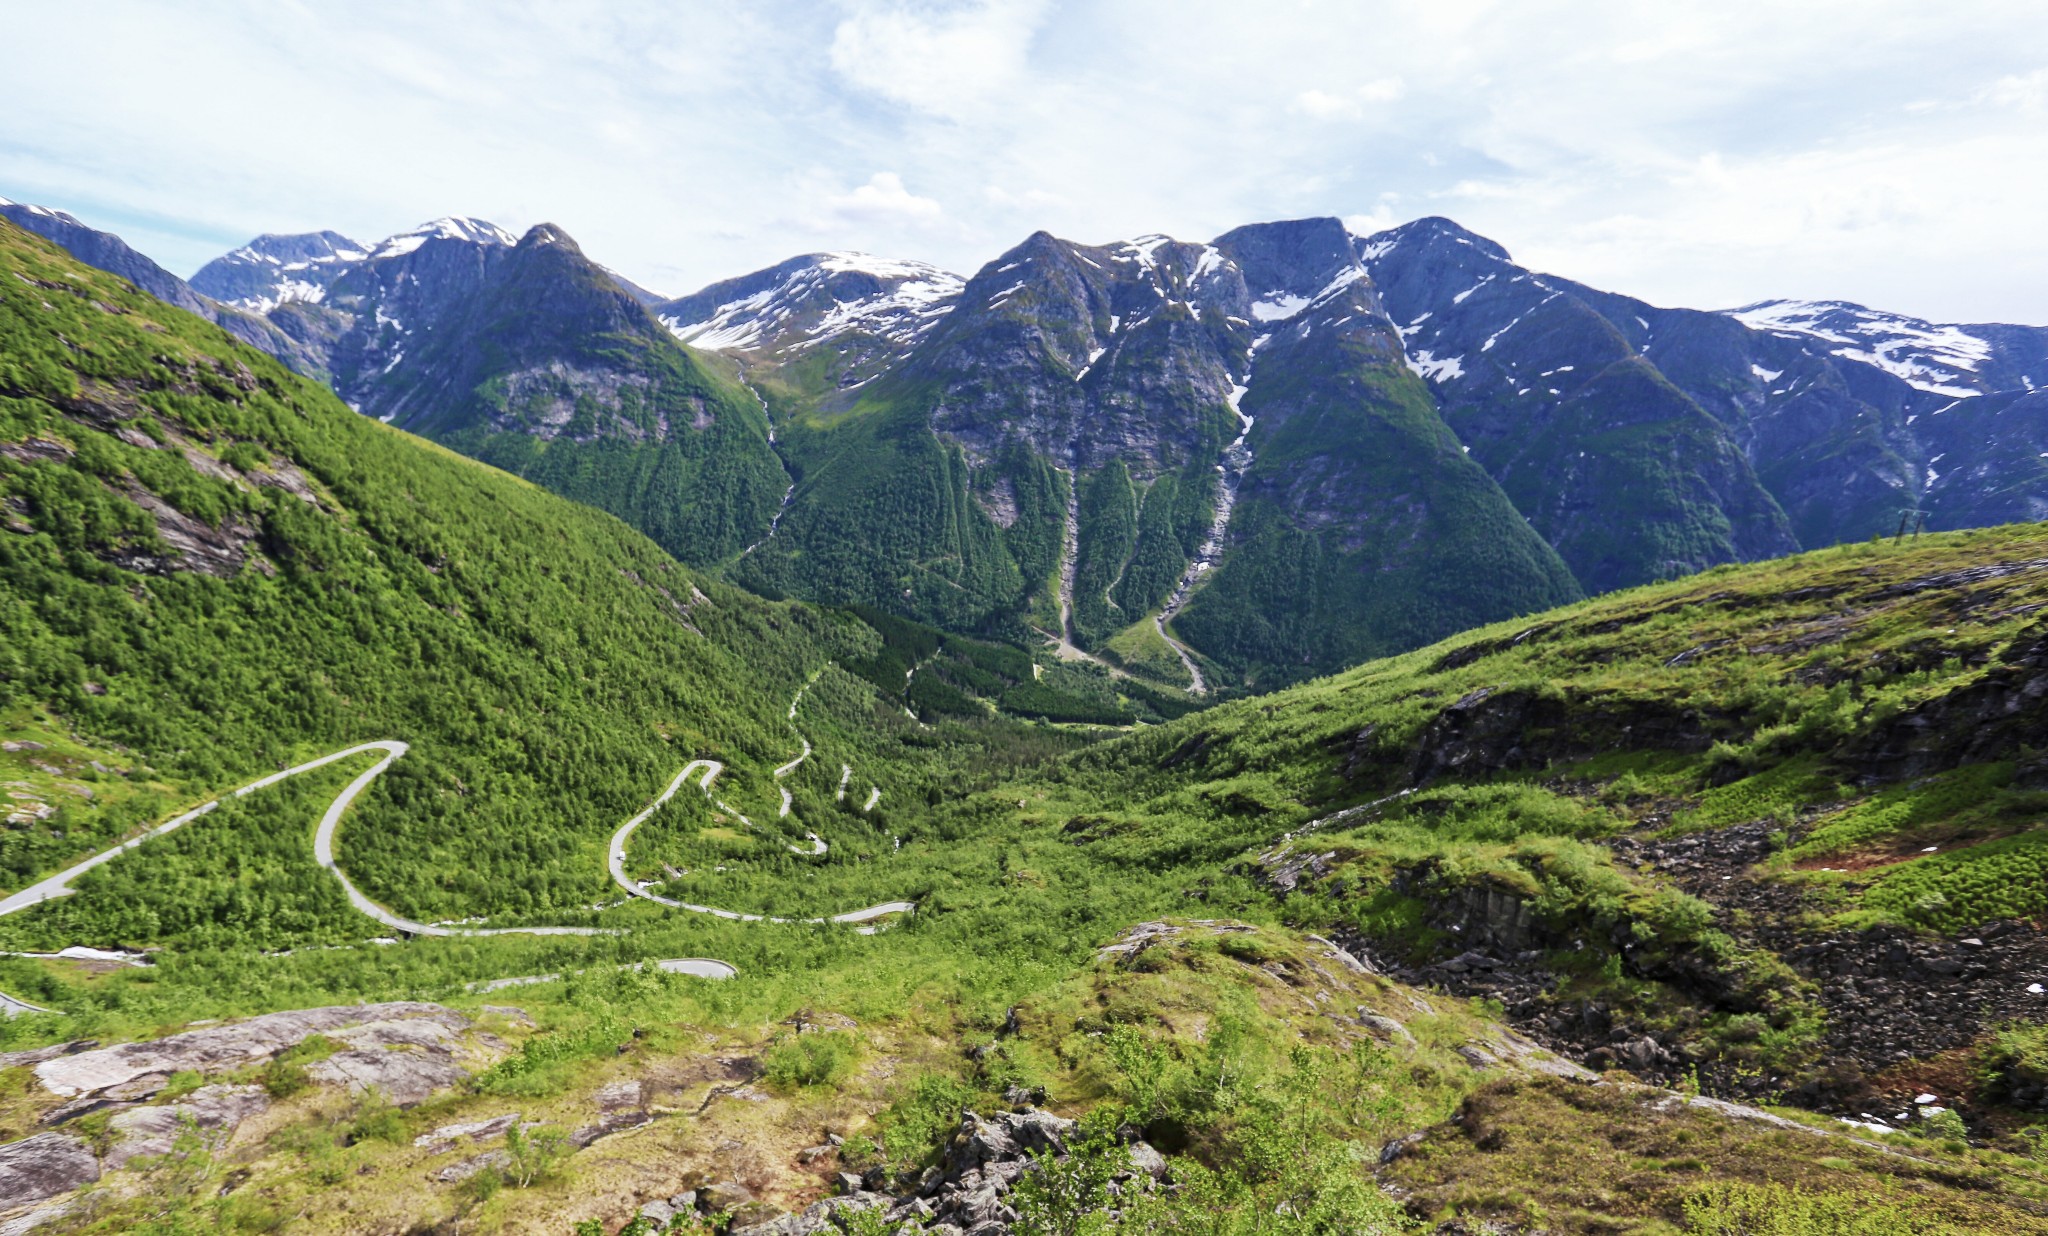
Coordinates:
(1930,357)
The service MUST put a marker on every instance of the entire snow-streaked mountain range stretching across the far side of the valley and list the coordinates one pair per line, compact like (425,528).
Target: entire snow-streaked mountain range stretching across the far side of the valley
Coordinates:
(1230,463)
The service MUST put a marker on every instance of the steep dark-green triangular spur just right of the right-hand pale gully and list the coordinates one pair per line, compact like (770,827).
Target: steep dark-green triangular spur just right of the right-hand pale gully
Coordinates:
(1361,525)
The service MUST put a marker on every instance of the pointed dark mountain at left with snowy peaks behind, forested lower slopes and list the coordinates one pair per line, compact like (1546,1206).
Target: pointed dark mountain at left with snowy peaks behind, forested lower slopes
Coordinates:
(527,355)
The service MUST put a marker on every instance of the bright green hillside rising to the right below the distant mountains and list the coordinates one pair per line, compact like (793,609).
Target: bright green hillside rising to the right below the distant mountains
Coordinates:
(1746,693)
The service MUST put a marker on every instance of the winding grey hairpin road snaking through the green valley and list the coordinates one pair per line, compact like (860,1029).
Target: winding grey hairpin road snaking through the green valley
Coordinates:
(703,770)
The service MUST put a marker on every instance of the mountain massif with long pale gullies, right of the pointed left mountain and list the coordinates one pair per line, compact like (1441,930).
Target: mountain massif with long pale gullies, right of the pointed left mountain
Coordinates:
(1639,443)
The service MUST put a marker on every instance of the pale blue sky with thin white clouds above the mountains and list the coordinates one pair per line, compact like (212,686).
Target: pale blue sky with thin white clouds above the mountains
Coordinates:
(1703,154)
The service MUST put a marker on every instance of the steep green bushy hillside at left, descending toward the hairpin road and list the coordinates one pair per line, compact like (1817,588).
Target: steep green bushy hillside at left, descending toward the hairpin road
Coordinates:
(550,666)
